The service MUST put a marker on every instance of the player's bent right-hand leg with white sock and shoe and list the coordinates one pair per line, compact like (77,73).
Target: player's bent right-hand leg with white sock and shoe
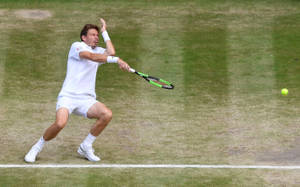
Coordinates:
(103,115)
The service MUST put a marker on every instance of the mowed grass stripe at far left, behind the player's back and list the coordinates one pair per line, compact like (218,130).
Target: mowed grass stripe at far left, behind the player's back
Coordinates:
(25,85)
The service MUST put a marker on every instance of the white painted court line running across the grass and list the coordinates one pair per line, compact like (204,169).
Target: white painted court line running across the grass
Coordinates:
(170,166)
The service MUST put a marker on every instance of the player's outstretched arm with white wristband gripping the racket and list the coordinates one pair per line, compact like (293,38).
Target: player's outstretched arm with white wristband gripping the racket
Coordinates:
(102,58)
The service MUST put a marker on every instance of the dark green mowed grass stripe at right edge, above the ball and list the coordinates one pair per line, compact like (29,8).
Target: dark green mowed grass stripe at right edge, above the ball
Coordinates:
(286,48)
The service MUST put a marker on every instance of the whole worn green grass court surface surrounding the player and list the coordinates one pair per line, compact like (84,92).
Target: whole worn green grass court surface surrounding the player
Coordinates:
(227,59)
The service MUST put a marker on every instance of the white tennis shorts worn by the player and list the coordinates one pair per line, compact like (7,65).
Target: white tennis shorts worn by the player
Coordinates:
(76,105)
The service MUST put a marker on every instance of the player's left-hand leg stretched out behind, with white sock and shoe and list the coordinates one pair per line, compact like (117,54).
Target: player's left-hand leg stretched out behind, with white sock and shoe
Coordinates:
(62,116)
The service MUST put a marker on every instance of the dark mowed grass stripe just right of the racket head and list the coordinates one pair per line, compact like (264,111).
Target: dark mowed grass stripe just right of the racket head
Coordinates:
(205,87)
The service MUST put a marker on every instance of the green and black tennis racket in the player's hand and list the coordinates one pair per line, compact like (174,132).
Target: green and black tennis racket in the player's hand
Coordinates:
(153,80)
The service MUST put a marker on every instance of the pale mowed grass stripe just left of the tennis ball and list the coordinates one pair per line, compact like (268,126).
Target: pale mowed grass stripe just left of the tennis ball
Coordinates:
(252,87)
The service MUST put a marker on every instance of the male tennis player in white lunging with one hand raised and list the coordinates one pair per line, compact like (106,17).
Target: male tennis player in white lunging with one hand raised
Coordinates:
(77,95)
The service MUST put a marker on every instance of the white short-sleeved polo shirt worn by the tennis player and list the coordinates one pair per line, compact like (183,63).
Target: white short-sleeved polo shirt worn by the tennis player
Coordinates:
(81,73)
